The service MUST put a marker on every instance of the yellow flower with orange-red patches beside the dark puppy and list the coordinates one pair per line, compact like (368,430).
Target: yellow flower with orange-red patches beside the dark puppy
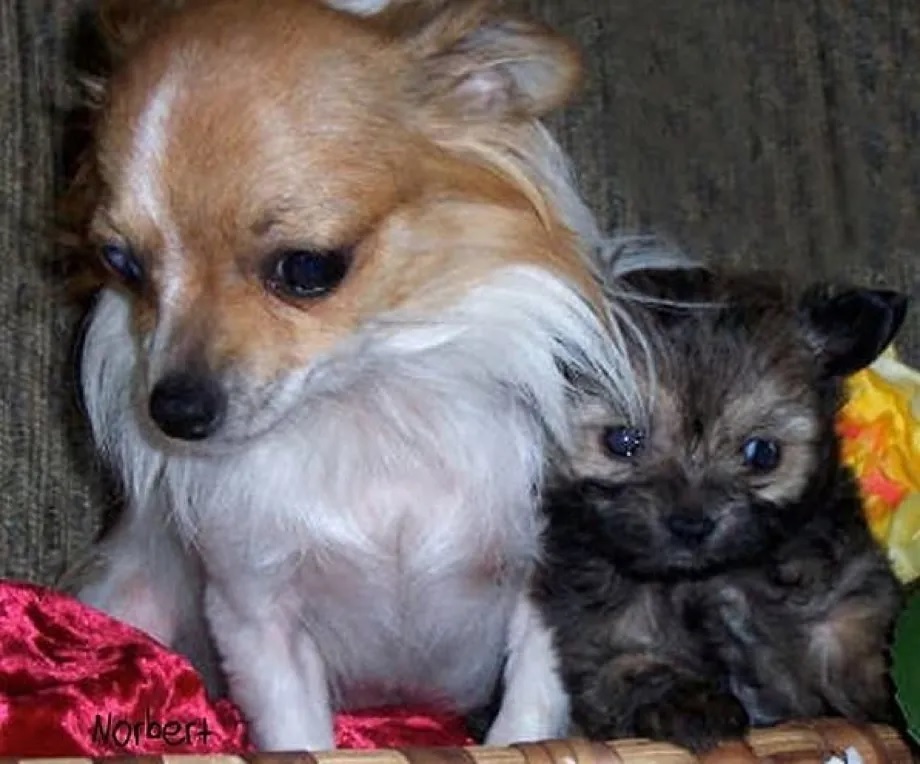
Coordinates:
(880,430)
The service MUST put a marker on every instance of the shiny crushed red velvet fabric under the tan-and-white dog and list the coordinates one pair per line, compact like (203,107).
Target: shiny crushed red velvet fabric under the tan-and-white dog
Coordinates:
(75,682)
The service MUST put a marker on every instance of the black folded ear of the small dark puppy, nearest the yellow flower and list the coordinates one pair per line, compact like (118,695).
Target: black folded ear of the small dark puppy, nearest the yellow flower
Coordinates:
(851,327)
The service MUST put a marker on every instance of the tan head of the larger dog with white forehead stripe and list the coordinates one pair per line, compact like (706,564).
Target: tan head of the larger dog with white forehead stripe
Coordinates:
(272,176)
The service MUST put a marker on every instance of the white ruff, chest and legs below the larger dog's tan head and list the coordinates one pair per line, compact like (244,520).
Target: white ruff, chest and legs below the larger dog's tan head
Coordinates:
(373,547)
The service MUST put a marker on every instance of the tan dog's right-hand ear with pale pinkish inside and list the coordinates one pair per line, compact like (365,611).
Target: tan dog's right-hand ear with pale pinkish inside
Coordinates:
(476,66)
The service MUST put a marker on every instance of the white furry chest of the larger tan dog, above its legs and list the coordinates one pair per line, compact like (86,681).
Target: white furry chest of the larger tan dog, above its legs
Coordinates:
(400,557)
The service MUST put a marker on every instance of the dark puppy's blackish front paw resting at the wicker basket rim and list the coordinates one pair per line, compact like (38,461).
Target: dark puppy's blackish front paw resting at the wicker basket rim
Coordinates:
(693,715)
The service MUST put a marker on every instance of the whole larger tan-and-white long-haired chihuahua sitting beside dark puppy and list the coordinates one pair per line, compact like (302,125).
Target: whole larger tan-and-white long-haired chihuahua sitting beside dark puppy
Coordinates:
(345,271)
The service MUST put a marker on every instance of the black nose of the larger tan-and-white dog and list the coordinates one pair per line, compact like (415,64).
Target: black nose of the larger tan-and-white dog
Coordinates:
(187,406)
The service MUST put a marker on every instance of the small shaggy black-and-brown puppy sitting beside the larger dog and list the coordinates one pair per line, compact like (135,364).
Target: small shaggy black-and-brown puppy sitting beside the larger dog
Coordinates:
(708,566)
